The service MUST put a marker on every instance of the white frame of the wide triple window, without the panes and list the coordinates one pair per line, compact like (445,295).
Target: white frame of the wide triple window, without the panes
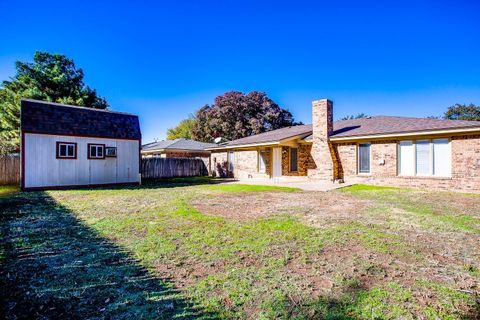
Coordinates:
(431,159)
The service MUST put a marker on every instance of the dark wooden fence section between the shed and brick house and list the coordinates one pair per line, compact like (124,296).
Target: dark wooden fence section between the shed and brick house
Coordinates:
(157,167)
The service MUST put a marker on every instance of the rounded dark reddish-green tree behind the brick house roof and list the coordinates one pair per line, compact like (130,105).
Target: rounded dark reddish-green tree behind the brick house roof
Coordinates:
(235,115)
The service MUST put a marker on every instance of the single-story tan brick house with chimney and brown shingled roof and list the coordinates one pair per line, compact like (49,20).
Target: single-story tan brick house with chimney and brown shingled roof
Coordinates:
(383,150)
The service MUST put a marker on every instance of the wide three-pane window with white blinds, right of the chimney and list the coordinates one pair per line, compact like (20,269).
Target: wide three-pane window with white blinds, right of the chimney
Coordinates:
(424,158)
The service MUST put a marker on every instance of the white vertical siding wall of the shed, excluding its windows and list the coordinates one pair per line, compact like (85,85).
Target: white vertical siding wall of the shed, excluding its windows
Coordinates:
(43,169)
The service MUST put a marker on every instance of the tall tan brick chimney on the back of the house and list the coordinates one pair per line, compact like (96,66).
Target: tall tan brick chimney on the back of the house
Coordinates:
(322,125)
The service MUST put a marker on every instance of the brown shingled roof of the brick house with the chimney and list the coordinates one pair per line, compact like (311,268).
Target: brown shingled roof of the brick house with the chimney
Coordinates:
(360,127)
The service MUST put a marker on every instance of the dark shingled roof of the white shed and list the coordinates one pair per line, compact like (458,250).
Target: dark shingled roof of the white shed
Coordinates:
(61,119)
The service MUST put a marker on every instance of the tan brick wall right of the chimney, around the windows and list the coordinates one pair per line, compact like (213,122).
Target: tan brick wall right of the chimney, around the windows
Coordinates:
(465,166)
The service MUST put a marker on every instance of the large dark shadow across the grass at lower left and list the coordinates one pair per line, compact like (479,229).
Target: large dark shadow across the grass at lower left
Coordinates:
(54,266)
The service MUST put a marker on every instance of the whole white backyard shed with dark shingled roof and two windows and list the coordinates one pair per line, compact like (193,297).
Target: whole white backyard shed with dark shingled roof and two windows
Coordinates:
(66,146)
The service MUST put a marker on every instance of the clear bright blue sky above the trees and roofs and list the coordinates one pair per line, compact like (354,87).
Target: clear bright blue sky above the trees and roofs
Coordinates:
(164,59)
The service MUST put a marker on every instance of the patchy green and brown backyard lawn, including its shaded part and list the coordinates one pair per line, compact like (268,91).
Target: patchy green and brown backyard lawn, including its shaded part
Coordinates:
(149,252)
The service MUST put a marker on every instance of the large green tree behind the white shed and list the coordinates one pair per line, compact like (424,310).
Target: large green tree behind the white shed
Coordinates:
(50,77)
